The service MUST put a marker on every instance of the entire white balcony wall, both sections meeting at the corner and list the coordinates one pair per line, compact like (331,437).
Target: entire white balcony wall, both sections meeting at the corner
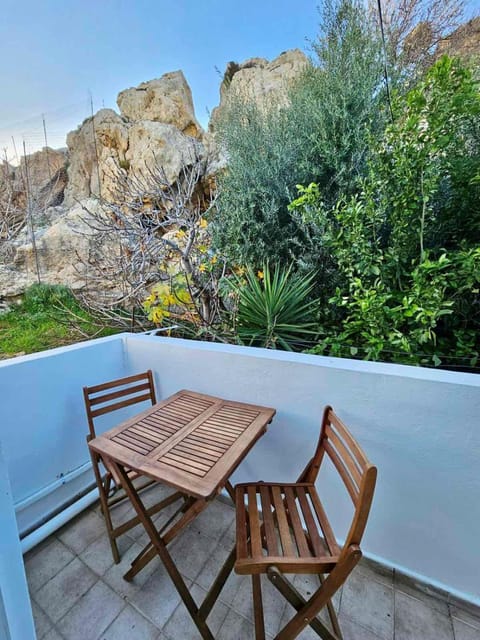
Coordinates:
(420,427)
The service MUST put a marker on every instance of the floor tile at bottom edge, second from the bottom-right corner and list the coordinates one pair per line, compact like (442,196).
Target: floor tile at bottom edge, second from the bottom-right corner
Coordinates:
(415,620)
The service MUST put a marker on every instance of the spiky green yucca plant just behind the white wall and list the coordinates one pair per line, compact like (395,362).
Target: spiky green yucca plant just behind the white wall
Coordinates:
(273,309)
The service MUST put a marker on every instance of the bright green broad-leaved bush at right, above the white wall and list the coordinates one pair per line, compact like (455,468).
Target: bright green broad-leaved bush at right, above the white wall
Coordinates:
(405,249)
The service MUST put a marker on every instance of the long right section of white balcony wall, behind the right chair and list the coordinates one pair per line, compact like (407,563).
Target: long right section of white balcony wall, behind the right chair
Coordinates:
(419,426)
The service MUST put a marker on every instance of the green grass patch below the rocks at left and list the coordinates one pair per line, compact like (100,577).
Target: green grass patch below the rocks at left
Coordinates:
(43,320)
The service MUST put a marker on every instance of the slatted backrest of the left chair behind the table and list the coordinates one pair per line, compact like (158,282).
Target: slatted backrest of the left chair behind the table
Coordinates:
(126,388)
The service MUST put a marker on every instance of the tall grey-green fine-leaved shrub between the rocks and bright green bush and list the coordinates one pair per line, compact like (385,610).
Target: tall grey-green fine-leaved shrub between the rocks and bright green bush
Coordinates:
(321,135)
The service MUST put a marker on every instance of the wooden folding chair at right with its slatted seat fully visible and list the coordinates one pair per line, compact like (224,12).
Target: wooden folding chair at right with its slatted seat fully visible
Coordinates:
(283,528)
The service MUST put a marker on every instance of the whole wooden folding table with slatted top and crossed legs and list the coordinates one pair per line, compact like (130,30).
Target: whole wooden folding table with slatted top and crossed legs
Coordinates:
(192,442)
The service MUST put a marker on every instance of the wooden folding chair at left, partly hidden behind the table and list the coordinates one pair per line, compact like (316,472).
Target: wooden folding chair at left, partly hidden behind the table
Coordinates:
(100,400)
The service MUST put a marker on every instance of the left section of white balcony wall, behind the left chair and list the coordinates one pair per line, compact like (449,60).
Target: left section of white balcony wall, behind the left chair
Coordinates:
(43,425)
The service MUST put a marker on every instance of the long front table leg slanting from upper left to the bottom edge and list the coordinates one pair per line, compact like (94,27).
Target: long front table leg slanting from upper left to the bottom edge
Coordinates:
(161,549)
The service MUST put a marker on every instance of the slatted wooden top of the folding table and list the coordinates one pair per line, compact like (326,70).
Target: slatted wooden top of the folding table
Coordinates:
(191,441)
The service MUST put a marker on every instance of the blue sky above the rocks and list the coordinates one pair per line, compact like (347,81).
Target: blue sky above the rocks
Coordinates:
(55,54)
